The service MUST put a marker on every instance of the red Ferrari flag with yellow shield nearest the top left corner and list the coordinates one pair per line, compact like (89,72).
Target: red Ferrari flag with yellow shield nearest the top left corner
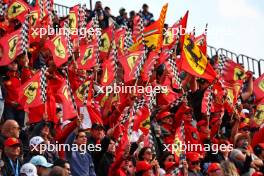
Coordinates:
(17,9)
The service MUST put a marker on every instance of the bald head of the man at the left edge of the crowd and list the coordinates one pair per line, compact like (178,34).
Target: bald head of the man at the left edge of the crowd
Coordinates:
(10,129)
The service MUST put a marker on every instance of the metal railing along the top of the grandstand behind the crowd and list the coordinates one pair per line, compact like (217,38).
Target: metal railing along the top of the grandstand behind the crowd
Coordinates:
(249,63)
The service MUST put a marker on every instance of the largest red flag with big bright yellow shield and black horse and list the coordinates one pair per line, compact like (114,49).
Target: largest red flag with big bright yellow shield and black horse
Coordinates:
(195,62)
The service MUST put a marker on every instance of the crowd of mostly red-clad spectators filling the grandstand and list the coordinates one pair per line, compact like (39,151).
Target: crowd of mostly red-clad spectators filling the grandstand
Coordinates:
(21,142)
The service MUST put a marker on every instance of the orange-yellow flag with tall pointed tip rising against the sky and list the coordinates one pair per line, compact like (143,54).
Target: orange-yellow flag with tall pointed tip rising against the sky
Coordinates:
(153,34)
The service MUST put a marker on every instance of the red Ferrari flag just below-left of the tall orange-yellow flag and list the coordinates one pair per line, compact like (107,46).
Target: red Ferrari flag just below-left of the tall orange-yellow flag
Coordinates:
(130,64)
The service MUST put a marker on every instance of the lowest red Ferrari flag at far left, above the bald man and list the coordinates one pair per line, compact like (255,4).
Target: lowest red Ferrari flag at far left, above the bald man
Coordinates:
(30,92)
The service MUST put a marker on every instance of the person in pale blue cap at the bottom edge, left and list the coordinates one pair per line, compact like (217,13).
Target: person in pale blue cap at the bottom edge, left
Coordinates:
(43,167)
